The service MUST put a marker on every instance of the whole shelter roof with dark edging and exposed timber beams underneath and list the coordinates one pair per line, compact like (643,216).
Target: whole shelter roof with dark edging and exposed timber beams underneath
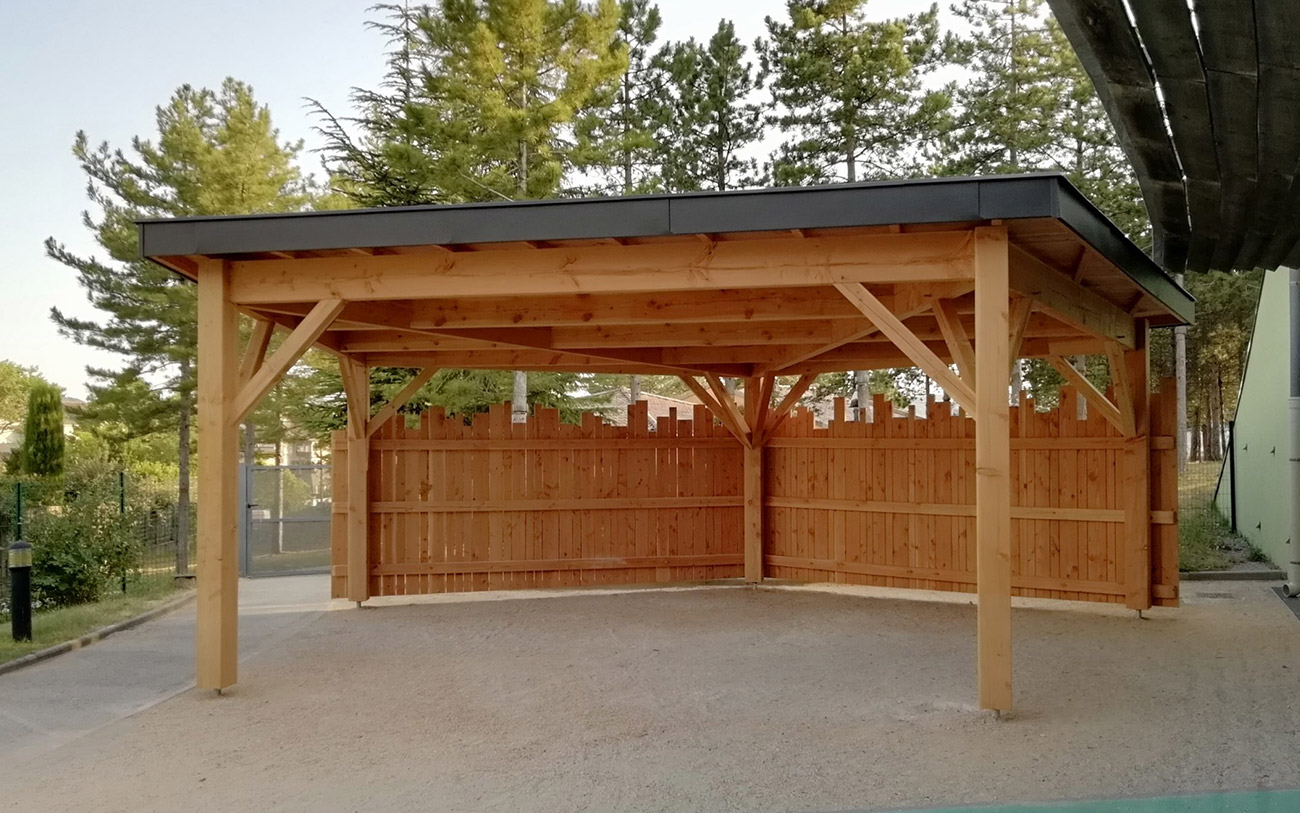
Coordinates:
(748,291)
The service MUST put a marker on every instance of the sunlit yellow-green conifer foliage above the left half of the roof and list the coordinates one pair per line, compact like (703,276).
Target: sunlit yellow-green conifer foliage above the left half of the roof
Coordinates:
(479,102)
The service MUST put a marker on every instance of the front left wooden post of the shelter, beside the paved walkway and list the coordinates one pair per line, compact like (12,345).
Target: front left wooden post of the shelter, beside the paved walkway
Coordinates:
(216,637)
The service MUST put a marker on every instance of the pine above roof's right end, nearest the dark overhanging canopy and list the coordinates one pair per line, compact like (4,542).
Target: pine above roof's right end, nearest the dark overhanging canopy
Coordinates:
(1009,103)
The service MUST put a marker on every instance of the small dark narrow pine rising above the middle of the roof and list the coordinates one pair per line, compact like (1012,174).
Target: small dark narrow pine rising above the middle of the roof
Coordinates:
(707,123)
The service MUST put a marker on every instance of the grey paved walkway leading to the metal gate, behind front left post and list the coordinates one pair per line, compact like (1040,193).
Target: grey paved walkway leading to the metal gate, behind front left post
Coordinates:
(59,700)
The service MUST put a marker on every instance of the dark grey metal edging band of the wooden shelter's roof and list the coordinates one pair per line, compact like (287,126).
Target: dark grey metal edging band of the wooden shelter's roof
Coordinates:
(933,202)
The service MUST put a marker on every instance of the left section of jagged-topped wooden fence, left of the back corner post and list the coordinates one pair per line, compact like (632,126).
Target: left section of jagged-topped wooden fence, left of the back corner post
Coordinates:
(497,505)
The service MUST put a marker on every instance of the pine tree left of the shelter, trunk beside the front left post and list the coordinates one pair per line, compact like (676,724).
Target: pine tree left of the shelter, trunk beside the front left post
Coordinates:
(216,153)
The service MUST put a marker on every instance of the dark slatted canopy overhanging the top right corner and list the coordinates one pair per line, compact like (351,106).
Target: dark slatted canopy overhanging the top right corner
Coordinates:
(1206,100)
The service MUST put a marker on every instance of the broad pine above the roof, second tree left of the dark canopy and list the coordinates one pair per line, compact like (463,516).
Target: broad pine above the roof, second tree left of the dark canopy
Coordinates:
(852,92)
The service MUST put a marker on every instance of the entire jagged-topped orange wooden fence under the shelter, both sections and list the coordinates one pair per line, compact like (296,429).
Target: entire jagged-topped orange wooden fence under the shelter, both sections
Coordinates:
(497,505)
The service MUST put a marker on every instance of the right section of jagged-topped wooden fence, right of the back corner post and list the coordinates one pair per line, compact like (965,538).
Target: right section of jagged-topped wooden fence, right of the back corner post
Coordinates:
(891,503)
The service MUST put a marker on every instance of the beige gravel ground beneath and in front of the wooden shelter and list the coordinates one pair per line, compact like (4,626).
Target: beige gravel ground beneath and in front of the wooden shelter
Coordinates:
(710,699)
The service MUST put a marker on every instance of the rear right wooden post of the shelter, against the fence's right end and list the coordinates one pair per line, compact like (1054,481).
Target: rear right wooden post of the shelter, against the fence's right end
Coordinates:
(1137,474)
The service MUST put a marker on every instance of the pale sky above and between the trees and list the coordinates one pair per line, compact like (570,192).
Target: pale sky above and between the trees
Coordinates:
(68,66)
